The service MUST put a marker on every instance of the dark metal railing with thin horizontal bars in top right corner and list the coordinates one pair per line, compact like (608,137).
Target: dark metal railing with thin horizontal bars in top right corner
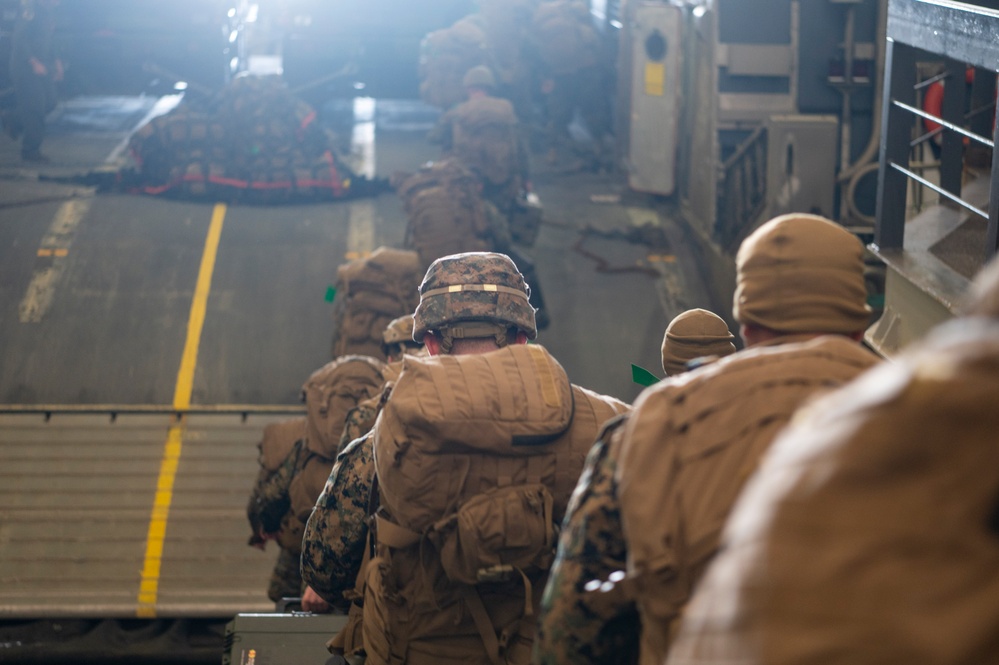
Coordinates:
(958,36)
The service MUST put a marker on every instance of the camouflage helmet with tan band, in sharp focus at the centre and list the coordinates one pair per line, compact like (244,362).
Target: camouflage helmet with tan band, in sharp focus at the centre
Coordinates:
(481,287)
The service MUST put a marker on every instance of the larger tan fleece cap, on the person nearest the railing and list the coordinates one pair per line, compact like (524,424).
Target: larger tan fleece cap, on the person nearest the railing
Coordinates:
(801,273)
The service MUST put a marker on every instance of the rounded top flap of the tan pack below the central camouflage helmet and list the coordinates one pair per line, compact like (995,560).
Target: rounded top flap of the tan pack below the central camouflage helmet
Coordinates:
(498,402)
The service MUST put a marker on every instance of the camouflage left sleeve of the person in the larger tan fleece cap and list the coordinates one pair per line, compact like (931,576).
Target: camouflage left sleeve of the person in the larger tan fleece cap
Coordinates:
(577,624)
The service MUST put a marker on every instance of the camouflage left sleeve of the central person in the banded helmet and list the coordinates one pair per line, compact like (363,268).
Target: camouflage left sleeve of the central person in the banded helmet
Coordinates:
(333,544)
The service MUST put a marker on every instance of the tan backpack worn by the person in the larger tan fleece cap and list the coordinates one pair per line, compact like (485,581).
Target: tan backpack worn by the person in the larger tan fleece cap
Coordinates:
(688,450)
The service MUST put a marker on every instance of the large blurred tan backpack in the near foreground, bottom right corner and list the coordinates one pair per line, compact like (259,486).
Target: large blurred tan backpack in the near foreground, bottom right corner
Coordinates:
(871,533)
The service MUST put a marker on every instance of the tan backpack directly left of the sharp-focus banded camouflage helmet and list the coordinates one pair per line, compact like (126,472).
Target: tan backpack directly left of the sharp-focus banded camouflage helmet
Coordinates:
(370,293)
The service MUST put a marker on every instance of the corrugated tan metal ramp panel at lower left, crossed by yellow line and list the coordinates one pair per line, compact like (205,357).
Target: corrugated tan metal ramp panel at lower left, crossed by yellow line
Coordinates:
(76,499)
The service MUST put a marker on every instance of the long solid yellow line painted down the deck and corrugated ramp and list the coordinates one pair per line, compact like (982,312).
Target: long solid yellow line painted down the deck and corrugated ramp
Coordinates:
(149,584)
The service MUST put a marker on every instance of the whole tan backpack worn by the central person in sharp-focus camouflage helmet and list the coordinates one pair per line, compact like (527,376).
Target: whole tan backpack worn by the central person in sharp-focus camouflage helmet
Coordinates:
(476,457)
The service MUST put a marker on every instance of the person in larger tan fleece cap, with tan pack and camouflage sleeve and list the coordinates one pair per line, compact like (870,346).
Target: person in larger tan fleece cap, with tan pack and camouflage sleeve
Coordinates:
(677,462)
